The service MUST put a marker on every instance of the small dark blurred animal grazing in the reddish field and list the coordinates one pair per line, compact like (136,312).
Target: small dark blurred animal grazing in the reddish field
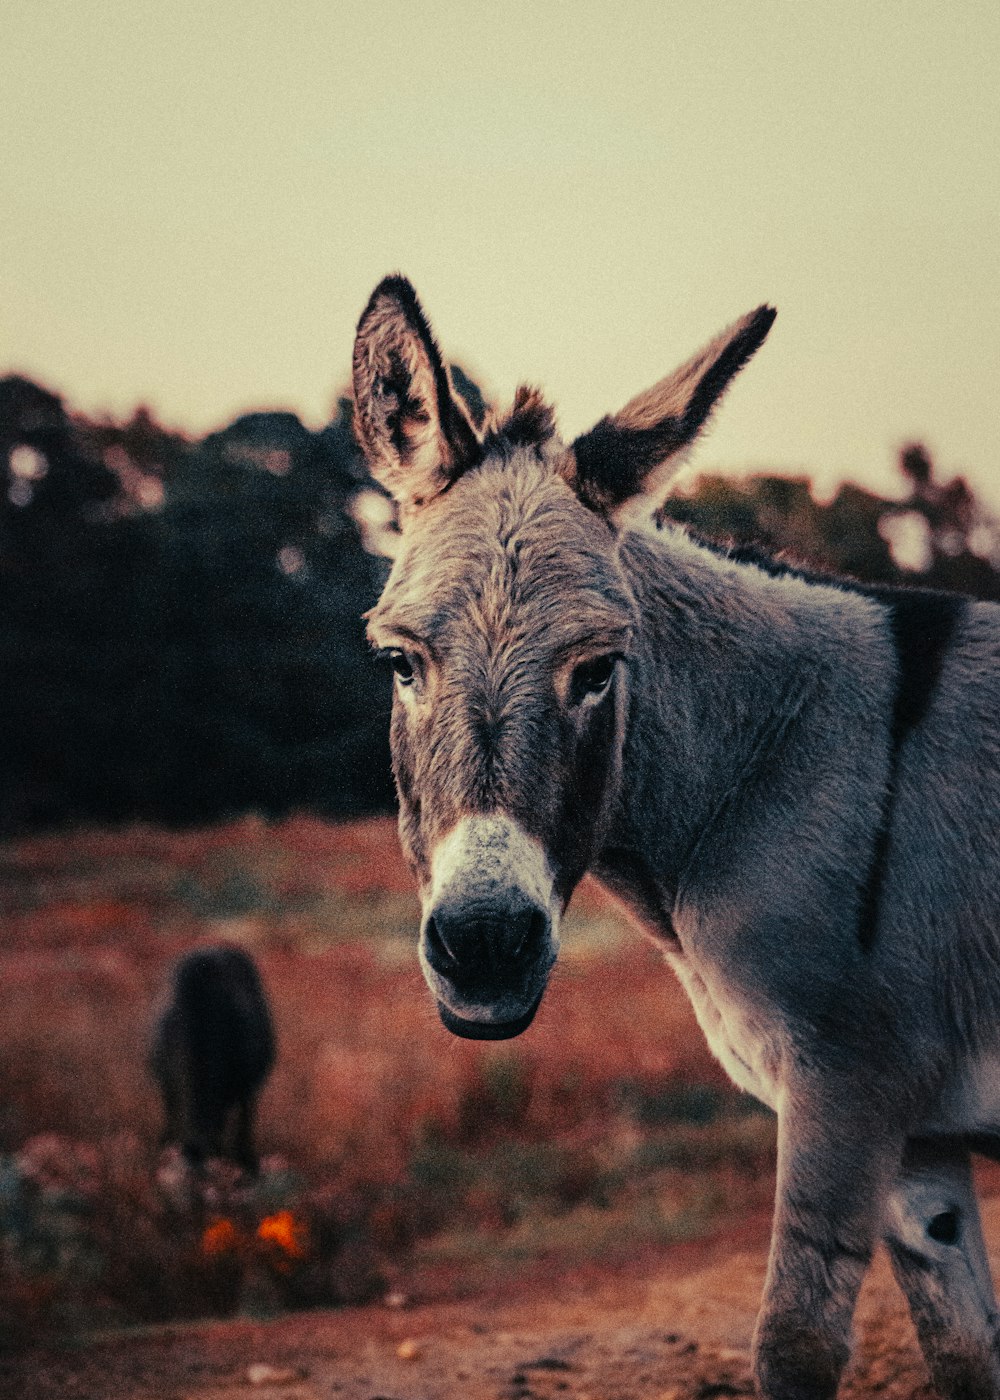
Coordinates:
(214,1048)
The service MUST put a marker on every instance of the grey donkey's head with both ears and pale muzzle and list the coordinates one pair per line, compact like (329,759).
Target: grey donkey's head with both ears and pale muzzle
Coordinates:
(509,621)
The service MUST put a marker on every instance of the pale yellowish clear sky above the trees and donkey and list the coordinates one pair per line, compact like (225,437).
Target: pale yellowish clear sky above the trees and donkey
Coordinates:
(197,201)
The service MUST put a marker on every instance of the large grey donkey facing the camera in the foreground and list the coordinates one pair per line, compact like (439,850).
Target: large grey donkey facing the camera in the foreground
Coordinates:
(792,782)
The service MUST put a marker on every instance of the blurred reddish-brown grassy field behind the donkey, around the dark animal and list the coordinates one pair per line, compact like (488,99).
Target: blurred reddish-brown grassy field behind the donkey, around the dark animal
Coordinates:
(403,1158)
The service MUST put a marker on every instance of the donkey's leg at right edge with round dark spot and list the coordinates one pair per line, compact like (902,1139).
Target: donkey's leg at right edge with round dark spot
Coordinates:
(940,1262)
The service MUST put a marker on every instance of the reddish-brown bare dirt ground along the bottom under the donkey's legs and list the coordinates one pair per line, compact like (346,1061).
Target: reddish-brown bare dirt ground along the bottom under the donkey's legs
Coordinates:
(673,1328)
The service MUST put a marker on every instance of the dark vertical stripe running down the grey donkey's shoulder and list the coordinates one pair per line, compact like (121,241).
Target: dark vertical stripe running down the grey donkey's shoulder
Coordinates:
(924,624)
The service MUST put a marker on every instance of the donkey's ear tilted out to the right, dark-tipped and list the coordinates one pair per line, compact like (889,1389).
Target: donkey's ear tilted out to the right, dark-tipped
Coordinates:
(638,451)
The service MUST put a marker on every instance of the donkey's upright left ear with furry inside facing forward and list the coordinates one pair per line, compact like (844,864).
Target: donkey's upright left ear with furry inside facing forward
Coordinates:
(414,430)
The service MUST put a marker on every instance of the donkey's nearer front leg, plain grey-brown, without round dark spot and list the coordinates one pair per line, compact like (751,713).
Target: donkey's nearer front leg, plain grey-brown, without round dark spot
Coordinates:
(835,1165)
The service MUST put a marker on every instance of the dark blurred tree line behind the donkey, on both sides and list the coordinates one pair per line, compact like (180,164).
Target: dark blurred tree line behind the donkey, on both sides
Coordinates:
(181,631)
